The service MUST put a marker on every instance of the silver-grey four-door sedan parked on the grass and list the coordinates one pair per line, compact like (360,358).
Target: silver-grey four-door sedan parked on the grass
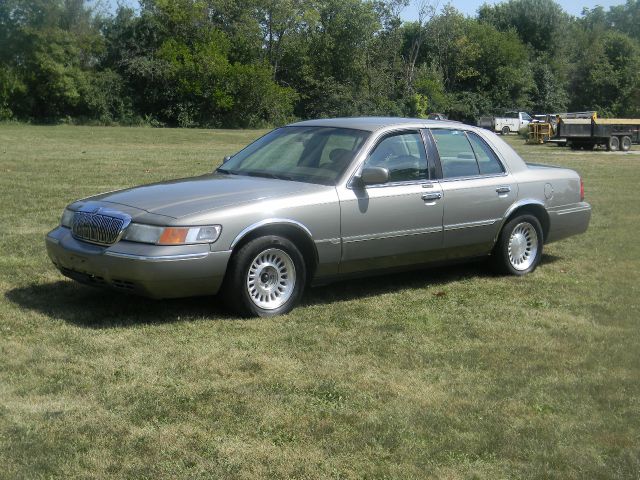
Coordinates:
(322,200)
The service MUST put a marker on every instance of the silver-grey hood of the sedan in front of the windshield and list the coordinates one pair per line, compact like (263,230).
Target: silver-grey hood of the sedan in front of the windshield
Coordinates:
(179,198)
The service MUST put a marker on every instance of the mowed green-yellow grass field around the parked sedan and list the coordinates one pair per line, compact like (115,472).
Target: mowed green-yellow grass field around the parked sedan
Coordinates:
(444,373)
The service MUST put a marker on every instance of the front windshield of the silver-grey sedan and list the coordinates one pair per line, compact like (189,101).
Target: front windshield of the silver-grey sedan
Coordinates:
(301,154)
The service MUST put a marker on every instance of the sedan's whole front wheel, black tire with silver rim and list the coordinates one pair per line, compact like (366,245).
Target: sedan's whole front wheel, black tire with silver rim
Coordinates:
(235,290)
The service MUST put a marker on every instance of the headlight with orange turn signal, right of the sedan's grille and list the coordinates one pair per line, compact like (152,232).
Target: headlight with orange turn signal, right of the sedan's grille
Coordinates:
(137,232)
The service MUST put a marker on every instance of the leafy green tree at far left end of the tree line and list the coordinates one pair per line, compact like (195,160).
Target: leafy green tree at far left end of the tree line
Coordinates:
(49,57)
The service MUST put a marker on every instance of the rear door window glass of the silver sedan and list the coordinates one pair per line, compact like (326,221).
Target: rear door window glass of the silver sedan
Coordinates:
(464,154)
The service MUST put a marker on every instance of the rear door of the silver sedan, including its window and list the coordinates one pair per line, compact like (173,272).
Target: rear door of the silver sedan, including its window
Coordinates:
(477,191)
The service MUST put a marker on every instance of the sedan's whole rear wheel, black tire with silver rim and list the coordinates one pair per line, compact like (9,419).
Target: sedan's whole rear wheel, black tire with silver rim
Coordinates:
(501,258)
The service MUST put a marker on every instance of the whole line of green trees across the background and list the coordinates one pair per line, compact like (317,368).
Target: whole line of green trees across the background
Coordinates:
(254,63)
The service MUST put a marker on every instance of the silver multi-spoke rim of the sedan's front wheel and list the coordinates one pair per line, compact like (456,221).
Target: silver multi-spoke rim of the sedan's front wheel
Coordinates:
(271,279)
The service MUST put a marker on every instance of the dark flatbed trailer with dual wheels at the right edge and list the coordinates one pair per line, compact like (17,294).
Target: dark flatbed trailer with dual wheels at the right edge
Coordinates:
(612,133)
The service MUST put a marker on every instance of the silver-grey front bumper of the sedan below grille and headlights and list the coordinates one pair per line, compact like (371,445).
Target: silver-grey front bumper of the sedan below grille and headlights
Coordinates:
(149,270)
